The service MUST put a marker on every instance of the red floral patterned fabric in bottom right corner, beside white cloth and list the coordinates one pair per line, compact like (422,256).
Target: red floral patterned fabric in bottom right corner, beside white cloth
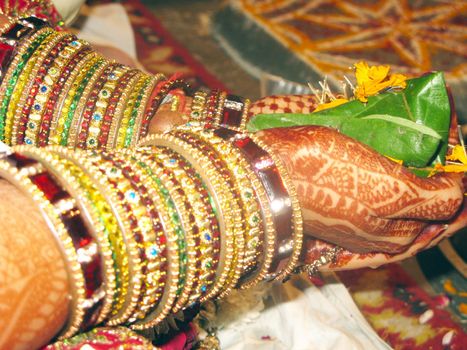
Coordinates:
(401,312)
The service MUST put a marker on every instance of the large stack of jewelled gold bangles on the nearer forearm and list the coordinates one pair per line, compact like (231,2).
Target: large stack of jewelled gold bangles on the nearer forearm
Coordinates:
(188,216)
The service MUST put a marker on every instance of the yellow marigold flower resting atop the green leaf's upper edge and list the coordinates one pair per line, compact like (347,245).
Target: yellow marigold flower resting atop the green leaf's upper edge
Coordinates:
(373,79)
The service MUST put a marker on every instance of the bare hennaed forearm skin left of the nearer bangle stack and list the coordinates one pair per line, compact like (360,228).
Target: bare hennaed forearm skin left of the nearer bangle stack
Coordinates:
(34,288)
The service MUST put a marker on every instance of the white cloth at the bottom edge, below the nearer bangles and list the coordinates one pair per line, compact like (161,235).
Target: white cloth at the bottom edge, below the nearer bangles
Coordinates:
(300,316)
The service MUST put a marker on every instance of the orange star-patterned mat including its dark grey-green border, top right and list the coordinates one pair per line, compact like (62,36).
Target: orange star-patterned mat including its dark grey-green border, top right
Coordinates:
(305,41)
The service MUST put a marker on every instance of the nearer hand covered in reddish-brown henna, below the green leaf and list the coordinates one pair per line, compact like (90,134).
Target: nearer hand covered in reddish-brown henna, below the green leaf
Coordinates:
(350,194)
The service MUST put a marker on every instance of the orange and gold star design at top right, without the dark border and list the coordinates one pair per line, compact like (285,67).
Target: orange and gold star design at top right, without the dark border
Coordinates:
(330,35)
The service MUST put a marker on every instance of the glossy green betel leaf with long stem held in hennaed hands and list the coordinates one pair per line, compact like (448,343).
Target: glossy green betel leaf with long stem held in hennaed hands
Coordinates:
(411,125)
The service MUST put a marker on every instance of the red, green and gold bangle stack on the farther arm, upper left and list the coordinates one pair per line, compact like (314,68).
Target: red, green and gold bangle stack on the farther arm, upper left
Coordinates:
(56,90)
